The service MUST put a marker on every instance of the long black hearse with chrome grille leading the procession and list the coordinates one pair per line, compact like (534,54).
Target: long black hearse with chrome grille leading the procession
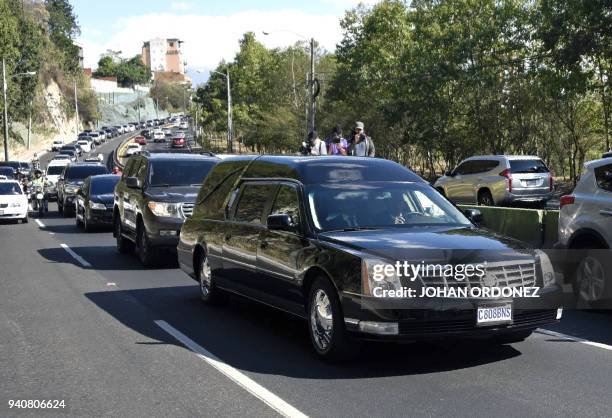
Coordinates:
(312,235)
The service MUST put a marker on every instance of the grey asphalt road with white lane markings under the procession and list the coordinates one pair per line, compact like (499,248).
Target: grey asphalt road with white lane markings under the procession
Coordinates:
(88,330)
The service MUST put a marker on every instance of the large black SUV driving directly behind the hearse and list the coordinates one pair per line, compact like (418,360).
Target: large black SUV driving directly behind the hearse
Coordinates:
(155,195)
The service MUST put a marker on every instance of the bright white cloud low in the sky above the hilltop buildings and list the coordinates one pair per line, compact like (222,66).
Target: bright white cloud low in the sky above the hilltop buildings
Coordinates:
(209,39)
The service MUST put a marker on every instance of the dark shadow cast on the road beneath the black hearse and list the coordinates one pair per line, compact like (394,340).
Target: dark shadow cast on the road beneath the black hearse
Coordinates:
(252,337)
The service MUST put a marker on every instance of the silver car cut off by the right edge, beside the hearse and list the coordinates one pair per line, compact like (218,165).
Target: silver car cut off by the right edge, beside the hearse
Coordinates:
(585,223)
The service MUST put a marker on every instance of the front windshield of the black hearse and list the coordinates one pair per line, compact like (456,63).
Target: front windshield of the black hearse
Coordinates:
(380,205)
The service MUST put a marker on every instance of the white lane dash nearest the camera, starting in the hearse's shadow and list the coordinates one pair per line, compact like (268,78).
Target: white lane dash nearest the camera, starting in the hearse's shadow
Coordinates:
(238,377)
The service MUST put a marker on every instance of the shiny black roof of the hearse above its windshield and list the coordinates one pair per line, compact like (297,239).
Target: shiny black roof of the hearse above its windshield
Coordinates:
(312,170)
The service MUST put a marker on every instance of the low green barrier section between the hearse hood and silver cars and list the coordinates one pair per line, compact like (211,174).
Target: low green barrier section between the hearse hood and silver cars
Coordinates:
(537,227)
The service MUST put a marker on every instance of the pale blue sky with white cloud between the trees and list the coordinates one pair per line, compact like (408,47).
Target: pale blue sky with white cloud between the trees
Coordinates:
(210,29)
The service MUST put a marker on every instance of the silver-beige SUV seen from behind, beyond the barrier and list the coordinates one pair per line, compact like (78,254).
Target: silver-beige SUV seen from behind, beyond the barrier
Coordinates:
(496,179)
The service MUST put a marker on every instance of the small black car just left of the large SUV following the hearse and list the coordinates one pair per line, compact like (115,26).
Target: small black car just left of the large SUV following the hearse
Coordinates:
(94,201)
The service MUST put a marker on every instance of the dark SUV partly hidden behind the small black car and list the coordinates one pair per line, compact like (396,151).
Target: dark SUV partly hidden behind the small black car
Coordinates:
(70,182)
